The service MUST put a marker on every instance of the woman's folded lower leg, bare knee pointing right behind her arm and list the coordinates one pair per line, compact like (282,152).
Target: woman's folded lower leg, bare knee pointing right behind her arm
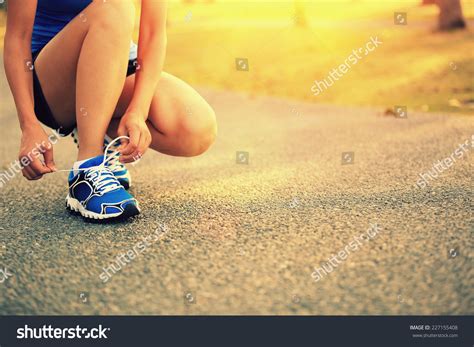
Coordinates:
(181,122)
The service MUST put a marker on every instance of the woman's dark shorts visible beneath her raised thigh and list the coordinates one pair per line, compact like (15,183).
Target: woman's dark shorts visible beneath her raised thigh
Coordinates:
(42,110)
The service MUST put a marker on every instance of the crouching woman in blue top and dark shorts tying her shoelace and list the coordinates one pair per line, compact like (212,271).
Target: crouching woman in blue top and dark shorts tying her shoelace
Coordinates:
(72,66)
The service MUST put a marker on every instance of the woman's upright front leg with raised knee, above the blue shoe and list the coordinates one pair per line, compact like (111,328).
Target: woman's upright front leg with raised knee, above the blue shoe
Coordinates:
(82,70)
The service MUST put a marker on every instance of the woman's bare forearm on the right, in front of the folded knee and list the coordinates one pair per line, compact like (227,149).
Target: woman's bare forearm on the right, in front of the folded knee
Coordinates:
(151,54)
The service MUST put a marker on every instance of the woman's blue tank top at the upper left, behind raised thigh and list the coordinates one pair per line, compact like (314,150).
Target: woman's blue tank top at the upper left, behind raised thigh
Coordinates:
(52,16)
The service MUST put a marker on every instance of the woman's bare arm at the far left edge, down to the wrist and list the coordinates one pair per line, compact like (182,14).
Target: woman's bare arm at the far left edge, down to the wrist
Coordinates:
(17,52)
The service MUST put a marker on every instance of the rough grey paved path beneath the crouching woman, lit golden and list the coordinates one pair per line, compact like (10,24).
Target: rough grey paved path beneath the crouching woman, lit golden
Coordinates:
(245,238)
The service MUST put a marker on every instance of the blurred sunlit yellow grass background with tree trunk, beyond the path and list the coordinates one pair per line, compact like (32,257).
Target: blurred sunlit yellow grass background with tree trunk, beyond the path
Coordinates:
(426,60)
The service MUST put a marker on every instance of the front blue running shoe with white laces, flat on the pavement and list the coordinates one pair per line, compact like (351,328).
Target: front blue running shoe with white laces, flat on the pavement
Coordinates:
(96,193)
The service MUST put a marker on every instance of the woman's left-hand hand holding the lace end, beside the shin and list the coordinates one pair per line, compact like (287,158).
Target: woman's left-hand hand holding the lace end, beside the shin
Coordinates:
(34,145)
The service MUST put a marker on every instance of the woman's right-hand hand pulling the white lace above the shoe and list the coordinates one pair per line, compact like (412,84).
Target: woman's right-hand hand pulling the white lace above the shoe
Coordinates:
(134,126)
